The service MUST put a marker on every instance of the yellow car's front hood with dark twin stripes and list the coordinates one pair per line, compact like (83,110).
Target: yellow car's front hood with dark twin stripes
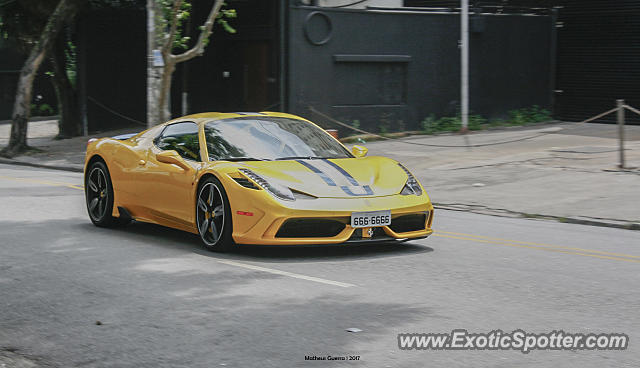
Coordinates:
(335,178)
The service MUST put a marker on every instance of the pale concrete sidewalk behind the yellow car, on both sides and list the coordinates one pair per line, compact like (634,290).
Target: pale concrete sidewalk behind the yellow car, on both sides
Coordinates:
(568,174)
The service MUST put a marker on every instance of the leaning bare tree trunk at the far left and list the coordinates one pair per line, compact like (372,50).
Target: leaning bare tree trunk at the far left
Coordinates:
(21,107)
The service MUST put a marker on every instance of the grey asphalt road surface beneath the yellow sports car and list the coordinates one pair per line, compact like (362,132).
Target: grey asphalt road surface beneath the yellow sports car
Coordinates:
(163,301)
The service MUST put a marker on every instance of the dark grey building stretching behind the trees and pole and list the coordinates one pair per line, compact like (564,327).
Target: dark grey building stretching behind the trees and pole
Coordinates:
(390,66)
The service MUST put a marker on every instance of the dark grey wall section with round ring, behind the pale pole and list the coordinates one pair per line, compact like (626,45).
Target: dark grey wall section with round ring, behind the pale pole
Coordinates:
(396,68)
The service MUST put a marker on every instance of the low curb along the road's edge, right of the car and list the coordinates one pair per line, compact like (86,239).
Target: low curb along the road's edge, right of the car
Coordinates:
(617,224)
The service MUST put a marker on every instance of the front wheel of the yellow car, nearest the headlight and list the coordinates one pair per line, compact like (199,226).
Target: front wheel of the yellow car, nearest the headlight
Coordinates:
(213,216)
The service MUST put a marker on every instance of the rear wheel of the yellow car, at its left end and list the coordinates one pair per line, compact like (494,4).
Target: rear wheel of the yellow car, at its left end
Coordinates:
(99,195)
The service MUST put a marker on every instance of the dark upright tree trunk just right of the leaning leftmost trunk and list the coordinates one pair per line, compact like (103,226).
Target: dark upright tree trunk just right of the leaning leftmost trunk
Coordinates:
(70,123)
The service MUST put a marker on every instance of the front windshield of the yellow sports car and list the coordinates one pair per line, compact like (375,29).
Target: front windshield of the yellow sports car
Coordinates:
(269,138)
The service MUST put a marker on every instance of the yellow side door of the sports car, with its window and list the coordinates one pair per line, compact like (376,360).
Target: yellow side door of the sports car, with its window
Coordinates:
(167,188)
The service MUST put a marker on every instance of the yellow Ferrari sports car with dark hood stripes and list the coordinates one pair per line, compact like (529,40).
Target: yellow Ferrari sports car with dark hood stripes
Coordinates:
(253,178)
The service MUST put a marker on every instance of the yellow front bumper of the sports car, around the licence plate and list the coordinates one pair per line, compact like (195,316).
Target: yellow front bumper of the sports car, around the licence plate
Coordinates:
(266,224)
